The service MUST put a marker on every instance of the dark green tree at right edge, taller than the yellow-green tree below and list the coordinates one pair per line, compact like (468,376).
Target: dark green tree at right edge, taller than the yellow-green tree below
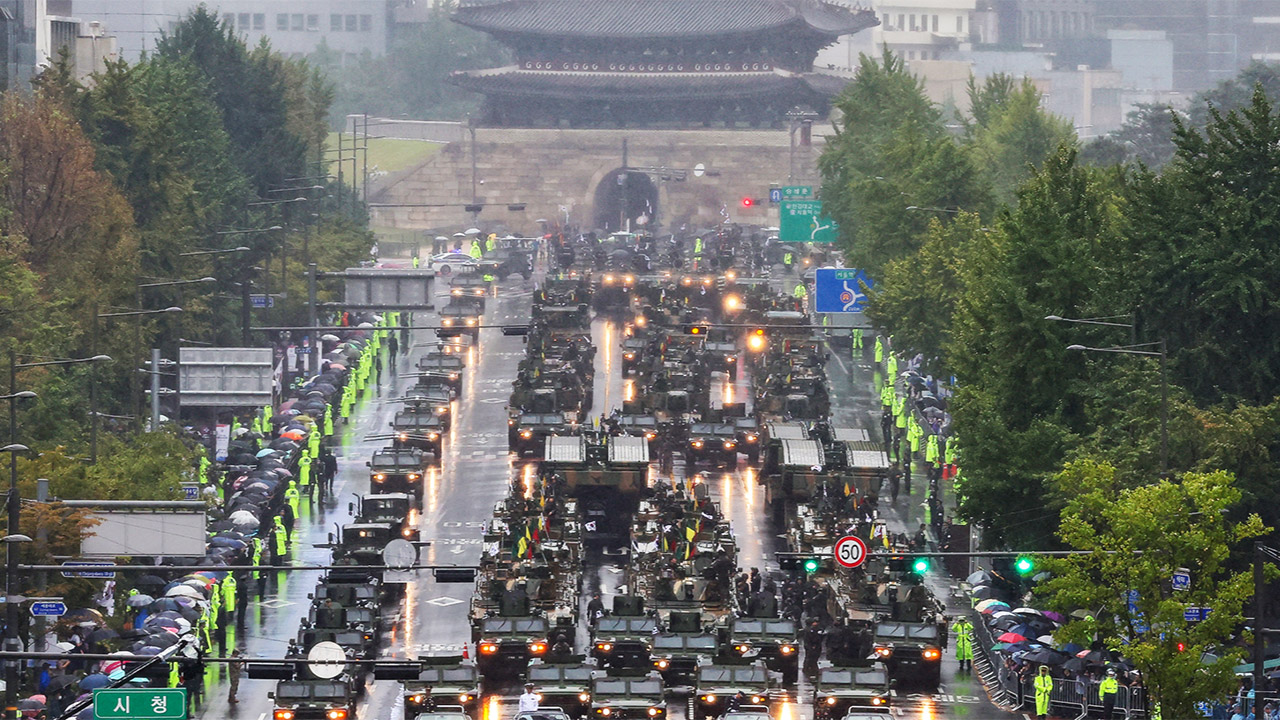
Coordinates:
(1201,258)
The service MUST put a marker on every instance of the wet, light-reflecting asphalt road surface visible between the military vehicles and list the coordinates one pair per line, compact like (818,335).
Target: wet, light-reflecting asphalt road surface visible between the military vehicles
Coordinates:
(461,493)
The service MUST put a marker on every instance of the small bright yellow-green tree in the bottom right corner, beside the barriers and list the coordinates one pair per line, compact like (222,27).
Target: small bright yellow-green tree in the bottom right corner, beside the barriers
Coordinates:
(1136,539)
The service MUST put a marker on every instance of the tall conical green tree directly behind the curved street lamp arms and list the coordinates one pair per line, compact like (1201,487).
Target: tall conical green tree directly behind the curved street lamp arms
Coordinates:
(1018,408)
